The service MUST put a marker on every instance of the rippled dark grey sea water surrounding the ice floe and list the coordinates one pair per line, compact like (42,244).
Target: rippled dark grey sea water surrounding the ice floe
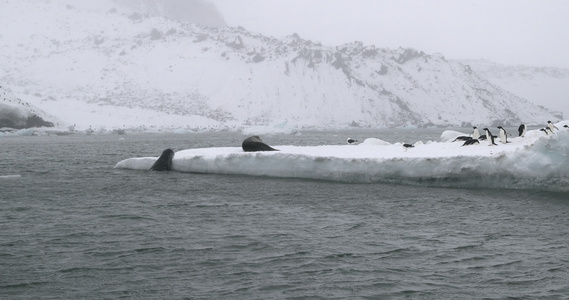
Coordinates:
(73,227)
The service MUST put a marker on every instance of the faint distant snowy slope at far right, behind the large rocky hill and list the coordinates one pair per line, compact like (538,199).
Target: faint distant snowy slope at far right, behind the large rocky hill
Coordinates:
(541,85)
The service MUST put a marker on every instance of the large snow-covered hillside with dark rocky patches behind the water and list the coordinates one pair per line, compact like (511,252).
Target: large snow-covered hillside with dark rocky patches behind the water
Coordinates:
(112,66)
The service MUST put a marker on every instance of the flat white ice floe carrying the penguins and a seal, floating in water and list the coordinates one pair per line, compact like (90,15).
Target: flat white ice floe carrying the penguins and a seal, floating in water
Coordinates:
(535,161)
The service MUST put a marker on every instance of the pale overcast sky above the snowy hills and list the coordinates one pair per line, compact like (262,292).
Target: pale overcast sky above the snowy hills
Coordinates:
(528,32)
